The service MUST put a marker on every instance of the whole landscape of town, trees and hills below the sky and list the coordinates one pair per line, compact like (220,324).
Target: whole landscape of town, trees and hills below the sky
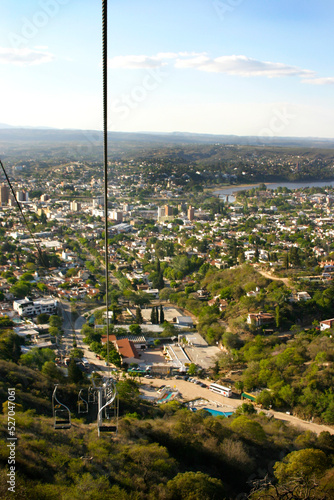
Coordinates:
(212,280)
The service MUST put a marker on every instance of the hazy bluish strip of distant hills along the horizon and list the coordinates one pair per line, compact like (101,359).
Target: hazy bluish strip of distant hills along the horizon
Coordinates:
(48,135)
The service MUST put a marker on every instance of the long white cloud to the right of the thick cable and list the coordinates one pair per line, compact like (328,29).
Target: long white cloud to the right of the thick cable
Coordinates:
(242,66)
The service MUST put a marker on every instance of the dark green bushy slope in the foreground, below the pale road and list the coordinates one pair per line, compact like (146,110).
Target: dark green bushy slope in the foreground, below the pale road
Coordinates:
(158,453)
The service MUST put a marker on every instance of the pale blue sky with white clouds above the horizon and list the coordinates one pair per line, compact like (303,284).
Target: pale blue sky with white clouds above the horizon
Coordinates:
(242,67)
